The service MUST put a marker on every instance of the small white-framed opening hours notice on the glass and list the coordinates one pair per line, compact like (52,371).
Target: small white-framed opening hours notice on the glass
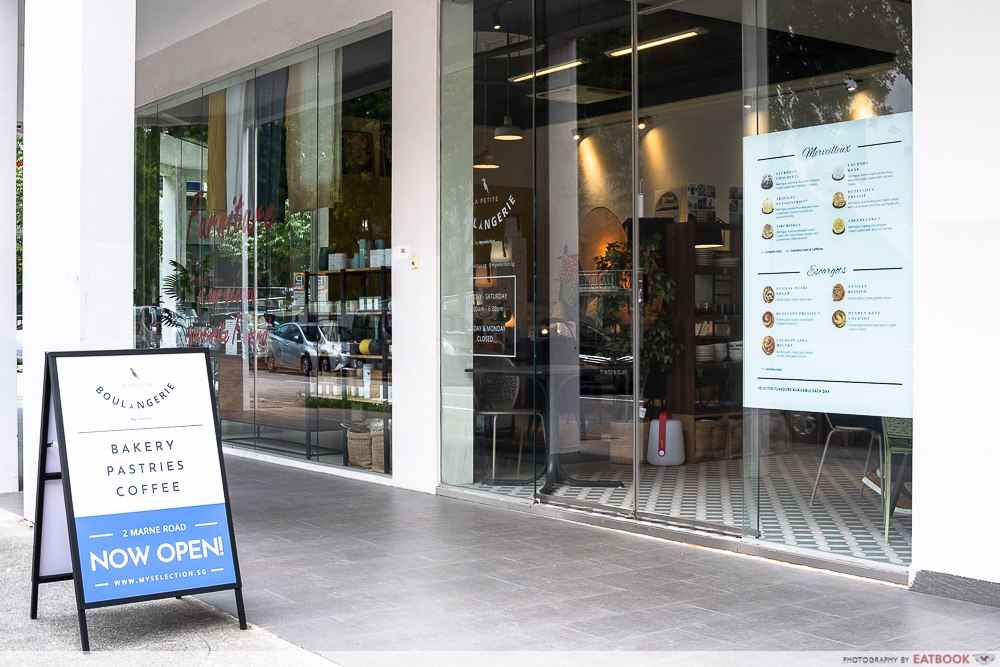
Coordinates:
(493,316)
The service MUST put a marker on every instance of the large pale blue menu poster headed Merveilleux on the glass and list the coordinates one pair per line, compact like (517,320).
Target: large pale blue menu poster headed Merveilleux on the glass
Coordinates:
(829,268)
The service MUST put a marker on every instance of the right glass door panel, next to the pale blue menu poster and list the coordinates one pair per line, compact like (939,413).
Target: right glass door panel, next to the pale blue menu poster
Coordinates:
(688,134)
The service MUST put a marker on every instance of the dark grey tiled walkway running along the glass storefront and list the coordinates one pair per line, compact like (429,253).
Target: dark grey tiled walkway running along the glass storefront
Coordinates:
(335,564)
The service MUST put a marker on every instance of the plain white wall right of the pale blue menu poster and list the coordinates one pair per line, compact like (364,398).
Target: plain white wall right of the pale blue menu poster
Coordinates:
(957,240)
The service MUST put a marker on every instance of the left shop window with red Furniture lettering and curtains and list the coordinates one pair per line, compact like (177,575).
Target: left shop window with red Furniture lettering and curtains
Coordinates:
(263,234)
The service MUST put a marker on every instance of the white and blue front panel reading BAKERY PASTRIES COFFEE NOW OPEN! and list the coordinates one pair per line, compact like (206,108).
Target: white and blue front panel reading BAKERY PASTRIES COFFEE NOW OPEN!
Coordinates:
(146,480)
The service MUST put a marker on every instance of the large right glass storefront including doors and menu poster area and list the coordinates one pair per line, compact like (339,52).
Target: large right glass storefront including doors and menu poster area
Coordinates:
(608,160)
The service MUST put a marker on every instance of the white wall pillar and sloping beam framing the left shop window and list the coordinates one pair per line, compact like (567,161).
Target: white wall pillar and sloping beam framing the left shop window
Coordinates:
(209,55)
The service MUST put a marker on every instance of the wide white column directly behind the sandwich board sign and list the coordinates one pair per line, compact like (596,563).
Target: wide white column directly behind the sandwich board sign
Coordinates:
(79,116)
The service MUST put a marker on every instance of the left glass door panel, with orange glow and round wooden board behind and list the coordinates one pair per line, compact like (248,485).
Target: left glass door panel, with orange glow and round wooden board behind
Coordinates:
(584,313)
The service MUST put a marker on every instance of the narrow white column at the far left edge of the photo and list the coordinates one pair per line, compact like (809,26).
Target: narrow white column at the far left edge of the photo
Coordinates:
(8,296)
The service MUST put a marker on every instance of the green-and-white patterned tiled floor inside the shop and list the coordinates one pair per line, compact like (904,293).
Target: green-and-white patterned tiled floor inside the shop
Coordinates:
(840,521)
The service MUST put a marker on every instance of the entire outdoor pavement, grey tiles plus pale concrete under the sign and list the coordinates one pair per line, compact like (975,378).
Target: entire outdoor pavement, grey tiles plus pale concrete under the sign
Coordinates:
(355,572)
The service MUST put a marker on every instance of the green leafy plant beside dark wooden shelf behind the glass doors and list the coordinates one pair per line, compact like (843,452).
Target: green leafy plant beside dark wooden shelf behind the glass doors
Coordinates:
(614,306)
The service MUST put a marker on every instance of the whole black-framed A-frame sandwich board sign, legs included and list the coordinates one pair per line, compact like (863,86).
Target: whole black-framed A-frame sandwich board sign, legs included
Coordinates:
(132,501)
